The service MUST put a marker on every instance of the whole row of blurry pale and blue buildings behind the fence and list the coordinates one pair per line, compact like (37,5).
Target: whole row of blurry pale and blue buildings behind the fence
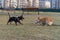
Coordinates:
(54,4)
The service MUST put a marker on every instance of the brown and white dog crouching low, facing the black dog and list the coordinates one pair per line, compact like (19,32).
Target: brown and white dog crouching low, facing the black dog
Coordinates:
(45,20)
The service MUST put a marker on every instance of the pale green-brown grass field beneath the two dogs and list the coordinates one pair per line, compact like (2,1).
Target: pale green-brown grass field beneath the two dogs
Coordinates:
(30,31)
